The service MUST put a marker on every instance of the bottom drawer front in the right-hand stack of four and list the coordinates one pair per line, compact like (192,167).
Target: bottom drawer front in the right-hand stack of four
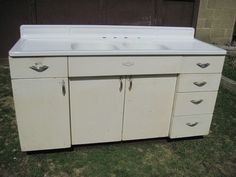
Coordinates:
(194,125)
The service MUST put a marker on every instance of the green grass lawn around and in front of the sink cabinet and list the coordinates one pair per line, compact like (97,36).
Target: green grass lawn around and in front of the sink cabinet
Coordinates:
(213,155)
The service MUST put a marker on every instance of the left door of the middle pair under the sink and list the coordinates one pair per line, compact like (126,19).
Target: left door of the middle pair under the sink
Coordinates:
(96,109)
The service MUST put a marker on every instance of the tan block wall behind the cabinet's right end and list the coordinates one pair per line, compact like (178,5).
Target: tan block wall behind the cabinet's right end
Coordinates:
(216,19)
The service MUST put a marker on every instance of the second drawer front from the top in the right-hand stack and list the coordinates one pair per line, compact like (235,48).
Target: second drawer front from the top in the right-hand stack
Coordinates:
(198,82)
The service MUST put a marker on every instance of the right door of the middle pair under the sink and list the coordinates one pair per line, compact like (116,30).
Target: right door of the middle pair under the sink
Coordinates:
(148,107)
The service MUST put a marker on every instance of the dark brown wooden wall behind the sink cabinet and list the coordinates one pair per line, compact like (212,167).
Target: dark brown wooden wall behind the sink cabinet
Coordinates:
(14,13)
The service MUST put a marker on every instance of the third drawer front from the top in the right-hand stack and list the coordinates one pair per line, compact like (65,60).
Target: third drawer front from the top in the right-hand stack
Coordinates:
(194,103)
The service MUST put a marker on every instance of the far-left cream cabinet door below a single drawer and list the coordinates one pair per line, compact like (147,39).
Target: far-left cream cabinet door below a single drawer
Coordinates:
(42,112)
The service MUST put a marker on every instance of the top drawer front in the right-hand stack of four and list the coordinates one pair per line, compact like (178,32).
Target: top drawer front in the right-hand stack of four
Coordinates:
(202,64)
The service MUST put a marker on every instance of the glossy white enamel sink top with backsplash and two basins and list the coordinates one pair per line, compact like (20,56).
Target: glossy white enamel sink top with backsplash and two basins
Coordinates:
(70,40)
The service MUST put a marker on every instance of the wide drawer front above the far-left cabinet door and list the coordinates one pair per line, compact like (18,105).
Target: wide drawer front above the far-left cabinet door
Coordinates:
(38,67)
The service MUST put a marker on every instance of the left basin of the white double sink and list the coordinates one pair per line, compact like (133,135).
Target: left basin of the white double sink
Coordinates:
(92,46)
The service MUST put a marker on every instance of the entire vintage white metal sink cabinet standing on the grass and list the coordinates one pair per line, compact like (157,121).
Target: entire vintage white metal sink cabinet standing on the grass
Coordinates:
(103,108)
